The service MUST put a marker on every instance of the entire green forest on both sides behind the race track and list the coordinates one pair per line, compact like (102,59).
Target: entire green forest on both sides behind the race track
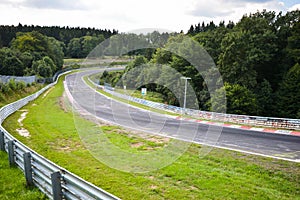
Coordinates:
(258,58)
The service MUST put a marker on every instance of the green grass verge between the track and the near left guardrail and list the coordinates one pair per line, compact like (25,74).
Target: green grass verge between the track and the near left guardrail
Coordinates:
(221,174)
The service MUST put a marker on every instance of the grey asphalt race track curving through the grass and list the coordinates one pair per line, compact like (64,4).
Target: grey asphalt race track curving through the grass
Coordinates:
(266,144)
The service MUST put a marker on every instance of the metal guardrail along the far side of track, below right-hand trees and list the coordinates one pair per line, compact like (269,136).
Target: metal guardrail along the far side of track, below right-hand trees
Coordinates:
(272,122)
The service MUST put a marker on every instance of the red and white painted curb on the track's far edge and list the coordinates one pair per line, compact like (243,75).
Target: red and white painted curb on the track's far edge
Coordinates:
(243,127)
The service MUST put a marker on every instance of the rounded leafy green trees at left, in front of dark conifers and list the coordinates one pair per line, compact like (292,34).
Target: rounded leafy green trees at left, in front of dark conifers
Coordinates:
(32,53)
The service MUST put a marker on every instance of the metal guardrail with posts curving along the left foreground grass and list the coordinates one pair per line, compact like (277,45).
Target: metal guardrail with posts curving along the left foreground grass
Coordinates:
(53,180)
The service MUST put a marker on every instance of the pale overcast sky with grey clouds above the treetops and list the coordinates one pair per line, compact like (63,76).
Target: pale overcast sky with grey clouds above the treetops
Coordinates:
(127,15)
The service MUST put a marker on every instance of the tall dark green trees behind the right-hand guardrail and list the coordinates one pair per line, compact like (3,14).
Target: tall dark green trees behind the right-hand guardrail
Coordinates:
(258,59)
